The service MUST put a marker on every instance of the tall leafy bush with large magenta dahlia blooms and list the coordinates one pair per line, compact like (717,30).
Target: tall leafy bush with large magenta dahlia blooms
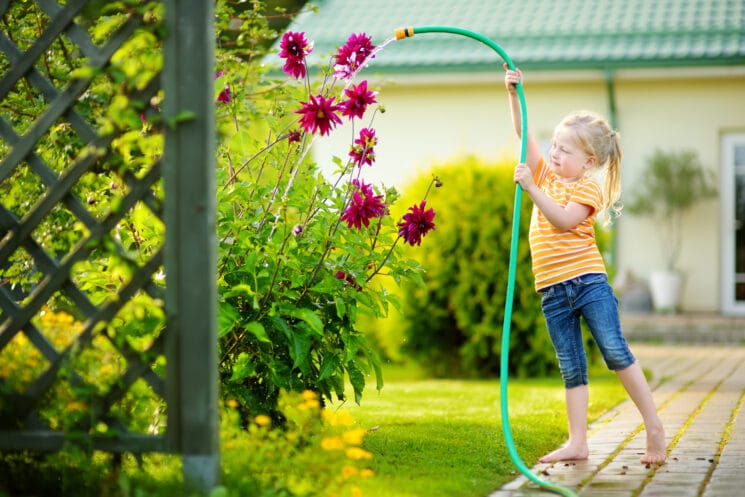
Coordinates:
(298,252)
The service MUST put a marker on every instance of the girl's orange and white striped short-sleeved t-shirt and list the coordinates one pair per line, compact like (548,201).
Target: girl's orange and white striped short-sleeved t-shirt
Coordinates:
(562,255)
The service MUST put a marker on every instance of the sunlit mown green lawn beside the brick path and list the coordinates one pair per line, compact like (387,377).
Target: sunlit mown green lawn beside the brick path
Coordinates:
(443,438)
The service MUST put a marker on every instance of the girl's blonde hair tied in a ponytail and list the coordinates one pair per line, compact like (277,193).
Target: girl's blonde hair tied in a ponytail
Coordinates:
(597,139)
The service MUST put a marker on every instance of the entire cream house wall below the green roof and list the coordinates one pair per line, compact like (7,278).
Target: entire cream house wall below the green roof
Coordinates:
(429,122)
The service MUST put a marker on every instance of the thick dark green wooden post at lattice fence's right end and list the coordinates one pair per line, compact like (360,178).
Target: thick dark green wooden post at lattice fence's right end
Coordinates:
(190,250)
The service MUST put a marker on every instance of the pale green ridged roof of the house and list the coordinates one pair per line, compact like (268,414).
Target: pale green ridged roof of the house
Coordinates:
(537,34)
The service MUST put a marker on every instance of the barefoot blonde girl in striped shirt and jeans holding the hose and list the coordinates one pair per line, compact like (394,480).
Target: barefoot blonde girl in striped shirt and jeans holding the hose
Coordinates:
(569,270)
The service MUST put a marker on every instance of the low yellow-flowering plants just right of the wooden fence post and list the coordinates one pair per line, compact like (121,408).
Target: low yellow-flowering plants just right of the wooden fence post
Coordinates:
(317,451)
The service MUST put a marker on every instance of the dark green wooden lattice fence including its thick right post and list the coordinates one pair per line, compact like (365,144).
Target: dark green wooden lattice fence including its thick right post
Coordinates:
(107,280)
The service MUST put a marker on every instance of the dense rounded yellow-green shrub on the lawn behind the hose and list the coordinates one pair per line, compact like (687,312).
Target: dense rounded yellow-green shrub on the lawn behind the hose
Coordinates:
(453,324)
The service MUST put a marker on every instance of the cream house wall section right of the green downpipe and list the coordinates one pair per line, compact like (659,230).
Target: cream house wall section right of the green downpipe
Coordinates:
(691,114)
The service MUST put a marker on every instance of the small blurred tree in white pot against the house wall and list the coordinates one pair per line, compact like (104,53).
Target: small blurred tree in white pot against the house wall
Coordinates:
(671,183)
